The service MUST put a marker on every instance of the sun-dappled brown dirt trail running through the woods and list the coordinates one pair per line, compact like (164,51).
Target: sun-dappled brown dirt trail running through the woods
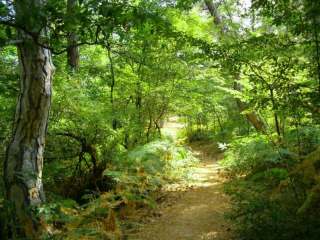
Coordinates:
(195,212)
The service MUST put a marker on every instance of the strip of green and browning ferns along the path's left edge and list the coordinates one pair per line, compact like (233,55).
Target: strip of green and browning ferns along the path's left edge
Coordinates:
(137,183)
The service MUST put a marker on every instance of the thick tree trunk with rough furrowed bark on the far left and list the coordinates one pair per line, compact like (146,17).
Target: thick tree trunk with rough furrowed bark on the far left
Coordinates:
(24,156)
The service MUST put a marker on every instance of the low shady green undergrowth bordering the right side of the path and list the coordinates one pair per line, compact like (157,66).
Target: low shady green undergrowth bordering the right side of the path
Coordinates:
(267,192)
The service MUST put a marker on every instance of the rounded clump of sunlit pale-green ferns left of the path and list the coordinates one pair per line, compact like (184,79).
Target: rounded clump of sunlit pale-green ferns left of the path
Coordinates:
(147,167)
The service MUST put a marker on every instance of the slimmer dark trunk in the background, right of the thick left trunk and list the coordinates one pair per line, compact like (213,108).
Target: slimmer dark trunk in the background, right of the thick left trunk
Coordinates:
(73,49)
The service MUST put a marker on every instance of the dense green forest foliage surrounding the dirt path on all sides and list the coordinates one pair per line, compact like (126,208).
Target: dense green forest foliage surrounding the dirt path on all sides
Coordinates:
(243,74)
